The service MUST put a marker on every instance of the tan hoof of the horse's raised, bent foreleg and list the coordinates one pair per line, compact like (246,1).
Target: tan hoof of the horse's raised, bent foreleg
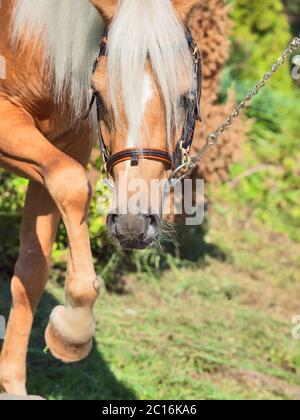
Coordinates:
(64,351)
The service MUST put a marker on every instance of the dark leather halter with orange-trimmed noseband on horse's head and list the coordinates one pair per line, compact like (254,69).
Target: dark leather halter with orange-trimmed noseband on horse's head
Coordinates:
(191,103)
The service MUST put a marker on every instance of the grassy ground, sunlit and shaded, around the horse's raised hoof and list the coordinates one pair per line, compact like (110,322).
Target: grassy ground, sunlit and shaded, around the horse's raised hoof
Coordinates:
(220,329)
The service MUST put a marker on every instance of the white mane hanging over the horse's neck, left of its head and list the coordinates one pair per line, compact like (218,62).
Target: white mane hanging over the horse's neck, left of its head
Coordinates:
(70,30)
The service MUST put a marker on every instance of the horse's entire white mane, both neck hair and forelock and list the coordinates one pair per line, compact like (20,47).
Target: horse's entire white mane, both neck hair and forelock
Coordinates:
(142,29)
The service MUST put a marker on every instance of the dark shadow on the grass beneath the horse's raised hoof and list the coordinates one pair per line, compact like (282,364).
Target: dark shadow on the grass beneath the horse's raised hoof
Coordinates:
(91,379)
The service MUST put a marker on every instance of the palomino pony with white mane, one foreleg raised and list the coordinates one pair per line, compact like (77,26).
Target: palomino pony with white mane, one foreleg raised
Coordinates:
(49,47)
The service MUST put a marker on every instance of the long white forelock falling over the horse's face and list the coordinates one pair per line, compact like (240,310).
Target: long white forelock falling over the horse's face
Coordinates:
(147,29)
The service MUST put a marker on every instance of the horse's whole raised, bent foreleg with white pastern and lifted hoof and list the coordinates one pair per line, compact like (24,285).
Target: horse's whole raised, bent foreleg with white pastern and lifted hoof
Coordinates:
(70,331)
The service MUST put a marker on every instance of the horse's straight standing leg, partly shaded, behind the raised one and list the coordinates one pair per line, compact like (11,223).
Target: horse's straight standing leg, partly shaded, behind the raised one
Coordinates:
(38,229)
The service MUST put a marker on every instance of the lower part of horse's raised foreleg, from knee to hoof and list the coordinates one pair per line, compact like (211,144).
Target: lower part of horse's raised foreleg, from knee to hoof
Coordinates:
(71,327)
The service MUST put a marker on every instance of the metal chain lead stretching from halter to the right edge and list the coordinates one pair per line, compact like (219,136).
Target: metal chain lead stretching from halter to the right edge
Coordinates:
(212,139)
